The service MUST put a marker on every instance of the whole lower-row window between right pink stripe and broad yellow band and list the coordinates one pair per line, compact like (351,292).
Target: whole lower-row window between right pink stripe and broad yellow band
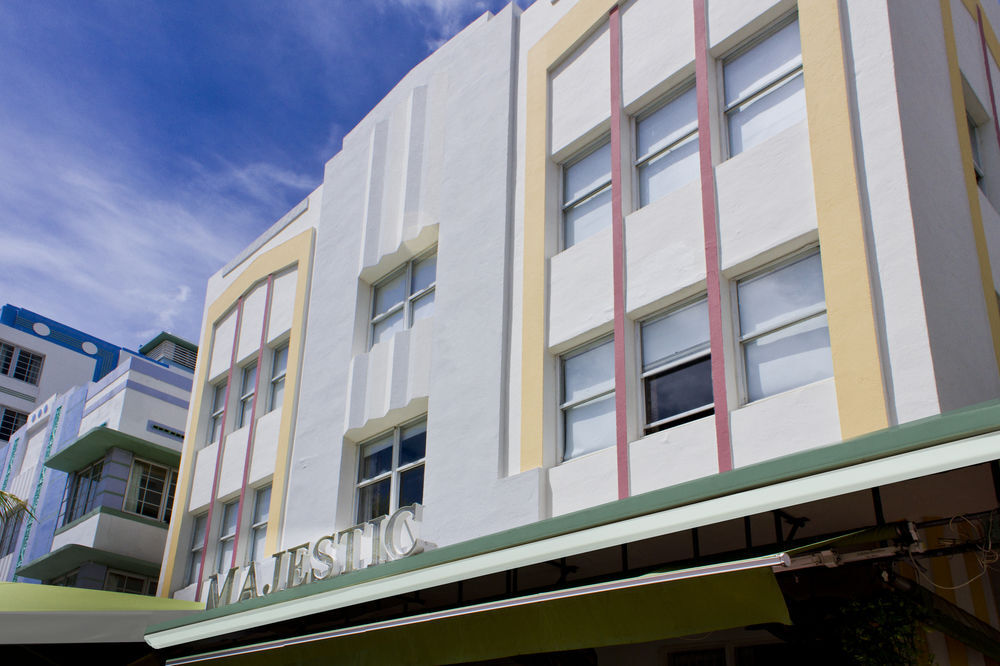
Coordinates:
(783,328)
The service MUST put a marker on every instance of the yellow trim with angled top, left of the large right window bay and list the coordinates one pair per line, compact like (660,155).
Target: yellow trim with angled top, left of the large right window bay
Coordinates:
(556,44)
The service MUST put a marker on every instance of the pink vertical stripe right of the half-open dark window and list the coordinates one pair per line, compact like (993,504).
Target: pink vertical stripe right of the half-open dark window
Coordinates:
(710,221)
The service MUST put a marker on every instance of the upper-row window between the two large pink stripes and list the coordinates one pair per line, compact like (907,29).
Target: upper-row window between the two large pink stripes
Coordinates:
(666,146)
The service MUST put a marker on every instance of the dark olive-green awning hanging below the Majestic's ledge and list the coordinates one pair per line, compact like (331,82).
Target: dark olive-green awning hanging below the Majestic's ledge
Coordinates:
(624,611)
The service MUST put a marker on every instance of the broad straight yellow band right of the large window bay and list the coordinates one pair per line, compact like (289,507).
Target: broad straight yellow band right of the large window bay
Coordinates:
(854,336)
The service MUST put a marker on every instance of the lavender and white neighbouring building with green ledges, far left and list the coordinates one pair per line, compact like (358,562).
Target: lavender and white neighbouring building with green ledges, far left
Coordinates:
(97,467)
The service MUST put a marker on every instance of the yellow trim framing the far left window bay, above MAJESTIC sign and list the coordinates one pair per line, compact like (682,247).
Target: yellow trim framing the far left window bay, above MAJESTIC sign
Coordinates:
(297,251)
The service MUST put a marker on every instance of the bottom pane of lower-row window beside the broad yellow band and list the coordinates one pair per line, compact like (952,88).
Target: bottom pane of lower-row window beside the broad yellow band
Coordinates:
(788,358)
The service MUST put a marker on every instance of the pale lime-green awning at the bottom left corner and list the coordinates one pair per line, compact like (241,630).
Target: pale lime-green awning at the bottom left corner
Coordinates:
(35,614)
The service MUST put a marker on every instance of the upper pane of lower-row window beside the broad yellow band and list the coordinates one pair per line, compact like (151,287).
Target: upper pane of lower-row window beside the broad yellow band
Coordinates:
(784,295)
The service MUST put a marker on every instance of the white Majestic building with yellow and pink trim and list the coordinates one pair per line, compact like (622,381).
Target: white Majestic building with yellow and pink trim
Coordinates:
(610,325)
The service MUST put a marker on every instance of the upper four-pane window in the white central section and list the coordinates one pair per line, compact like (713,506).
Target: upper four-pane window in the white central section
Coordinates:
(403,298)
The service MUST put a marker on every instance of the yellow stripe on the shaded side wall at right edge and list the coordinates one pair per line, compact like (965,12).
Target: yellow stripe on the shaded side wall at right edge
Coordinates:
(971,188)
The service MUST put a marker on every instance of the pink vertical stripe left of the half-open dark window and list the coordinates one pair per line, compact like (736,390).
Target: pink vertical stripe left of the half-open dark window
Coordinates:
(618,256)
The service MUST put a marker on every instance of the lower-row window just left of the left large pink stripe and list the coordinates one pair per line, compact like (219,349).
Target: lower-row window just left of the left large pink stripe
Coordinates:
(588,400)
